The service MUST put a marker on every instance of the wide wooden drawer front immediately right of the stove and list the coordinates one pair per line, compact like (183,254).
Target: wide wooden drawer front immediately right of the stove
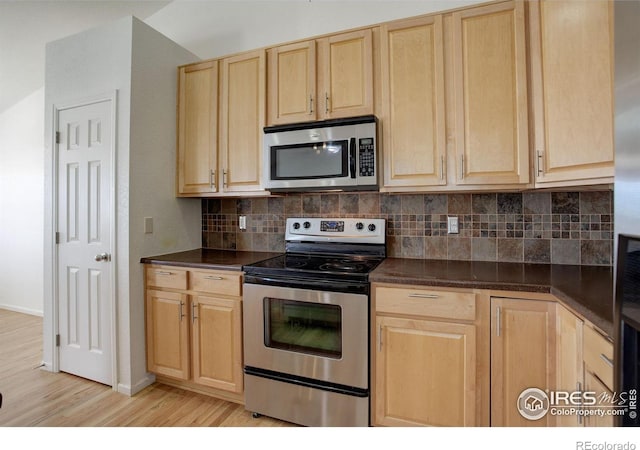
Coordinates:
(426,302)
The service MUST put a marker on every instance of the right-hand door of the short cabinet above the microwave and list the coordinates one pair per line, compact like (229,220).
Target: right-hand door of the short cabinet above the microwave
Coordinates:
(346,71)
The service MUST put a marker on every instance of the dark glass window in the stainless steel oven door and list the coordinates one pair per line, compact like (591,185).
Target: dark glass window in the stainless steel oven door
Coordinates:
(303,327)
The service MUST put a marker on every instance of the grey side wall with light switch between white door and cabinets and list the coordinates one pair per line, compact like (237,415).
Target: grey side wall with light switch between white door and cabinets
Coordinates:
(176,221)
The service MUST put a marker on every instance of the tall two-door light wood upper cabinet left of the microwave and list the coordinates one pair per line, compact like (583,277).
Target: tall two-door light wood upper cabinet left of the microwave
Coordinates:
(221,114)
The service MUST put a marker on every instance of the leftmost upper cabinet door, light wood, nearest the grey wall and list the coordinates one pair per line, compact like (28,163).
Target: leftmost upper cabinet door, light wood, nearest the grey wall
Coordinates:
(197,128)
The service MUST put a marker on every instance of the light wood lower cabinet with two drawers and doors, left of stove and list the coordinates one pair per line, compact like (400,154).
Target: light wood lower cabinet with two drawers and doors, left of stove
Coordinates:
(194,327)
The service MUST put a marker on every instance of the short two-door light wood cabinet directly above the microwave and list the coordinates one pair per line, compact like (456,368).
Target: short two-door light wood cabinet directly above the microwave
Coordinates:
(326,78)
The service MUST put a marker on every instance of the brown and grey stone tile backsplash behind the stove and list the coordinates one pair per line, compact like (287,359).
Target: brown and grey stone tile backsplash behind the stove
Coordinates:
(536,227)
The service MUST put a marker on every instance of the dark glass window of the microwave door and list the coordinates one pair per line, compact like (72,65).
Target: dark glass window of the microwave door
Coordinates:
(308,161)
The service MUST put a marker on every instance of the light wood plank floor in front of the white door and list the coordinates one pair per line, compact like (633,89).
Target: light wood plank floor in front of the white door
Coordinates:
(35,397)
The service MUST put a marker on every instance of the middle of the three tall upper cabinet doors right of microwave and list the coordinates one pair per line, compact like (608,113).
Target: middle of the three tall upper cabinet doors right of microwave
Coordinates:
(490,95)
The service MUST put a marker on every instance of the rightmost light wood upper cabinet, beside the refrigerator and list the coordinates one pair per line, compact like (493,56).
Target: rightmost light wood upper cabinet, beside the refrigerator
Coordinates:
(572,86)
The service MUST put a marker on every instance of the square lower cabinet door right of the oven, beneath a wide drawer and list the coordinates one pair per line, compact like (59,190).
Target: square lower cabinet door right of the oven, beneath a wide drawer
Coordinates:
(425,373)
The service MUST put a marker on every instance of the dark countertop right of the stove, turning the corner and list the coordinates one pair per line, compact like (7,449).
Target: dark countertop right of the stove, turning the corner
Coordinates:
(588,290)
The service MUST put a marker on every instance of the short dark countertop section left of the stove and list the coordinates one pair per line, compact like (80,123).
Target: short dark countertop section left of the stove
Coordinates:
(209,259)
